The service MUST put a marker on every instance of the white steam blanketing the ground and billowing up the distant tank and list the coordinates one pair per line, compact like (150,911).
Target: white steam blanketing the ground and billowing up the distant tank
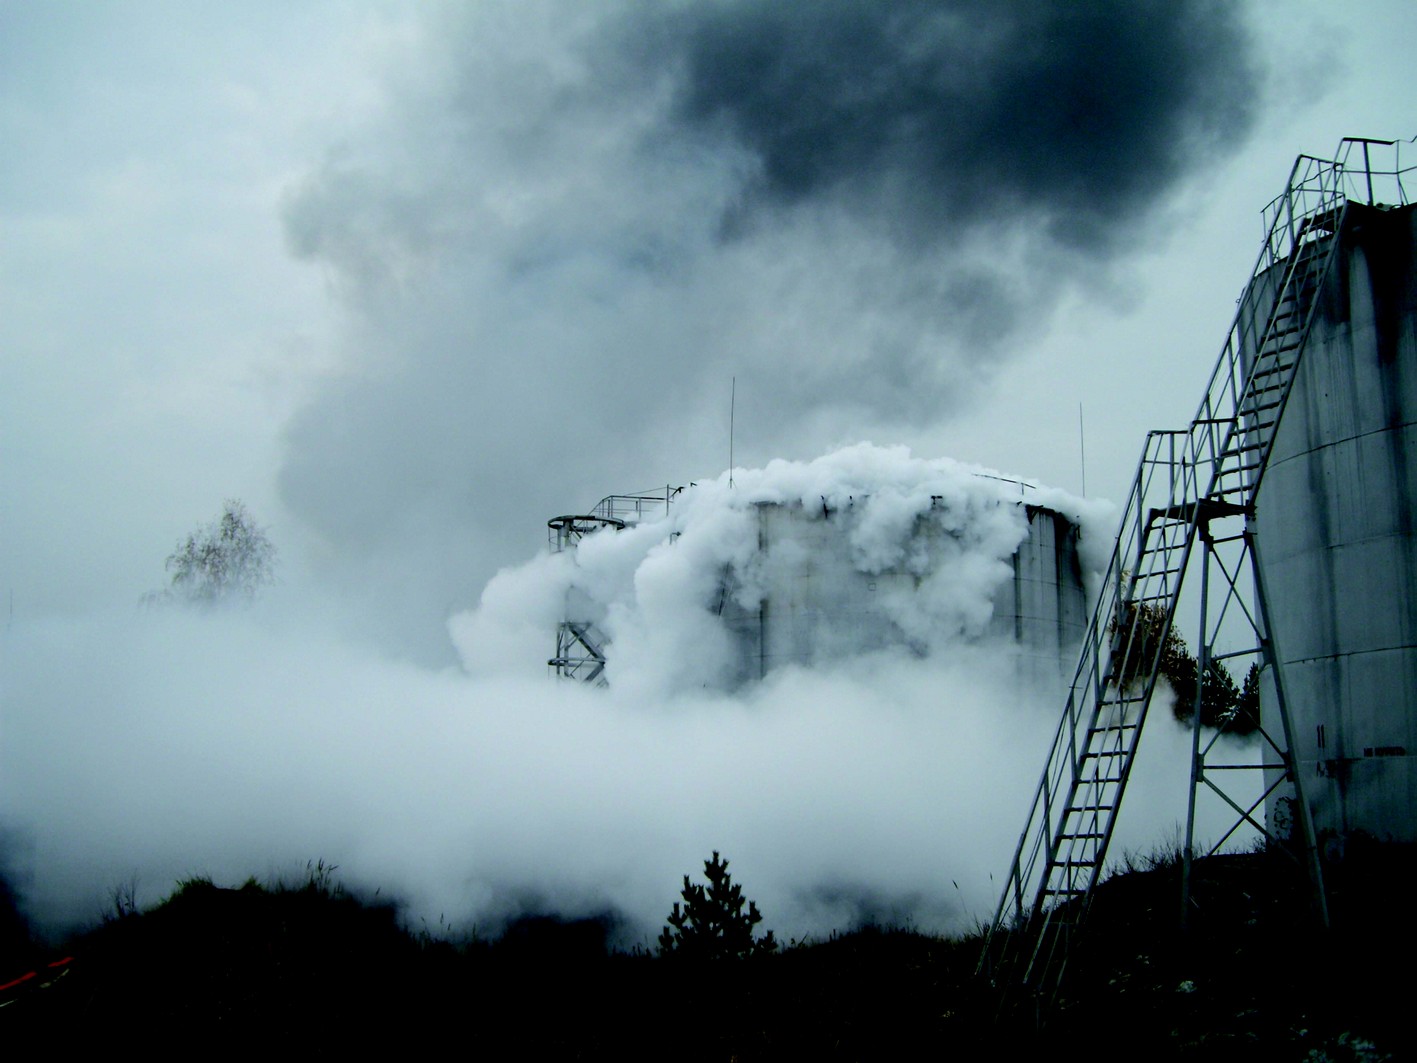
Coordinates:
(161,745)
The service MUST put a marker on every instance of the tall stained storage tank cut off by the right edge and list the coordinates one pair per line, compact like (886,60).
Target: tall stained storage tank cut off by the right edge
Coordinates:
(1336,528)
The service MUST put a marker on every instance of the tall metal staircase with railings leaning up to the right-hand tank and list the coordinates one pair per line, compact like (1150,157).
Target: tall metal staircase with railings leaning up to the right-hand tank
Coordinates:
(1194,488)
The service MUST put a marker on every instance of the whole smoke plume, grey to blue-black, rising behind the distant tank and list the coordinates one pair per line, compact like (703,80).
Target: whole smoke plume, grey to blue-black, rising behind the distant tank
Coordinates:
(572,225)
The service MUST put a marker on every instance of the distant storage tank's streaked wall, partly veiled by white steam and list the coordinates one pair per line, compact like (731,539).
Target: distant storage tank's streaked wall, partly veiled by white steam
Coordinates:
(814,602)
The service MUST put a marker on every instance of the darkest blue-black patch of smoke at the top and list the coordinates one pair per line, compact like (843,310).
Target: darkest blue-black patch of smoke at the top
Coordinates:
(935,116)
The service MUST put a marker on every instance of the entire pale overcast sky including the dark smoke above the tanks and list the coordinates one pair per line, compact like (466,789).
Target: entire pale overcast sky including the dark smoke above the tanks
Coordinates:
(410,279)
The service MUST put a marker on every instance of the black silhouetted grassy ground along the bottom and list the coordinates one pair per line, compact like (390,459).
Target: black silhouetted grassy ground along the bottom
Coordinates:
(314,969)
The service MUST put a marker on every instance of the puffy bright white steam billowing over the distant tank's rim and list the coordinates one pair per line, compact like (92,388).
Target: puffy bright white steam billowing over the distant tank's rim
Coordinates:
(657,590)
